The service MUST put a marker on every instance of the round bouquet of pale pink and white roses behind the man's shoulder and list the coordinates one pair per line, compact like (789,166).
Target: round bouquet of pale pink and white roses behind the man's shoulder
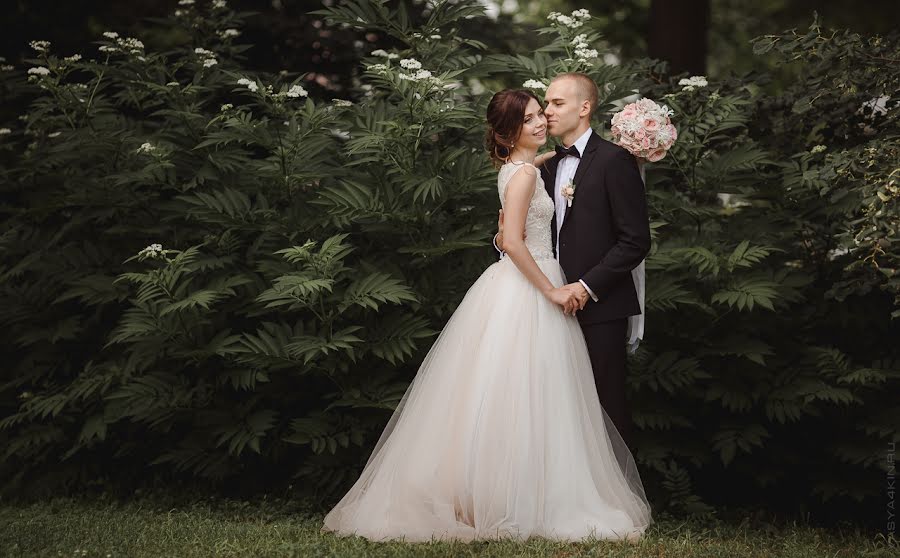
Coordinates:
(644,129)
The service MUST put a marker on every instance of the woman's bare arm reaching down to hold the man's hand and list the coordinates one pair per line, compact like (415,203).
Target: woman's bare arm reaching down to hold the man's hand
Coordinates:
(519,191)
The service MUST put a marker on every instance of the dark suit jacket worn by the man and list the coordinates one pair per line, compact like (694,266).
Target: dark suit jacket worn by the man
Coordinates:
(606,232)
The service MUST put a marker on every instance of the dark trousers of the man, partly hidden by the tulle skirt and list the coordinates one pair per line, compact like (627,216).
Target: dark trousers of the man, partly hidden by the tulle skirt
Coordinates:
(606,348)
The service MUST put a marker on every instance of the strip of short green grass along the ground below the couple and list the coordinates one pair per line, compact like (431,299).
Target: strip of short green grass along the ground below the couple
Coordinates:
(215,527)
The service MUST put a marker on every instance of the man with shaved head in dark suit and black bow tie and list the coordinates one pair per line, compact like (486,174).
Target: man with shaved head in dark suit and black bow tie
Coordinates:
(600,232)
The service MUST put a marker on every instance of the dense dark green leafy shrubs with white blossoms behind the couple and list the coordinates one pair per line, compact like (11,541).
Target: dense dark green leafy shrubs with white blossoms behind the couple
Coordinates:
(309,249)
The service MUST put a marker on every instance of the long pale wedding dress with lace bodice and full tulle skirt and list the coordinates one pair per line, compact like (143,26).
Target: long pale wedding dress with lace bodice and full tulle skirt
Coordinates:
(501,433)
